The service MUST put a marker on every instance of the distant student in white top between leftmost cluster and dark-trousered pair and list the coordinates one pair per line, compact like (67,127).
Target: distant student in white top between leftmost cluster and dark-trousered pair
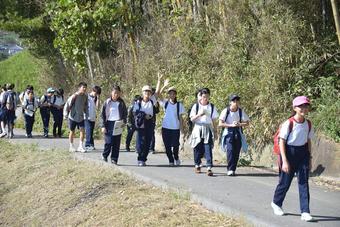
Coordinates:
(30,106)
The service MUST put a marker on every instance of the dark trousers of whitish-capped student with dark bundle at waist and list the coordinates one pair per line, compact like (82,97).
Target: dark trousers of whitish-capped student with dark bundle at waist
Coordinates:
(144,136)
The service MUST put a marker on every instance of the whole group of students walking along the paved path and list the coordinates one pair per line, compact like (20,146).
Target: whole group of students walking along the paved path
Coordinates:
(80,111)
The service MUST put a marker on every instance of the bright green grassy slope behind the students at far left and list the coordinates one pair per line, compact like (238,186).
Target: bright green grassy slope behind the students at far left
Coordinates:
(23,69)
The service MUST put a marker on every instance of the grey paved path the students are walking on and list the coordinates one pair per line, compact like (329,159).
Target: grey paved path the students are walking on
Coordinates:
(248,194)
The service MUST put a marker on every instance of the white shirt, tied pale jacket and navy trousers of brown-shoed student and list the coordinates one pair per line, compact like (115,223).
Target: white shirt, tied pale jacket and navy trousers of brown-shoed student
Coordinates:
(202,137)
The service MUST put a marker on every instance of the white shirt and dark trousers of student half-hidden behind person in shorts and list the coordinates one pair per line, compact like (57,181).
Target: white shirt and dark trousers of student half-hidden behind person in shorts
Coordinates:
(90,121)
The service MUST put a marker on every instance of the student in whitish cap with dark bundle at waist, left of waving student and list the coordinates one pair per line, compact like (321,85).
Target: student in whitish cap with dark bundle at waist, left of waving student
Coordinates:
(144,111)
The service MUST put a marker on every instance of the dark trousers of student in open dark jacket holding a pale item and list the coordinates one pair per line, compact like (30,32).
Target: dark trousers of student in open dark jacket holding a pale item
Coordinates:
(112,143)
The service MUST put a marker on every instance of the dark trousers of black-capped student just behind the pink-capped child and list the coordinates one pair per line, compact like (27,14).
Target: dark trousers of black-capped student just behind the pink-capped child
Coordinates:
(233,143)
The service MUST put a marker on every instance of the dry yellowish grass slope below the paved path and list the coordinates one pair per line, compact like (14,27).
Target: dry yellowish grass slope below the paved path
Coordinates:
(40,188)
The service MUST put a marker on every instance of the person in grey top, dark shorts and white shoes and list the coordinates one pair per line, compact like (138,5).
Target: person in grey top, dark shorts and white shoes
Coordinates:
(75,110)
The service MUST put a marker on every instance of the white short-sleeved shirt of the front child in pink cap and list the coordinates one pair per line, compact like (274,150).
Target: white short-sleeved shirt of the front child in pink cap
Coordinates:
(299,135)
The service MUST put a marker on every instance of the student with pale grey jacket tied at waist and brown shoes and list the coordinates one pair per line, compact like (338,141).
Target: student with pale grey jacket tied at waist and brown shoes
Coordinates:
(203,114)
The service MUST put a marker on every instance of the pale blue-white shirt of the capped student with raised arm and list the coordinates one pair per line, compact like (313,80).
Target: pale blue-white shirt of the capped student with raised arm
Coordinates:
(170,120)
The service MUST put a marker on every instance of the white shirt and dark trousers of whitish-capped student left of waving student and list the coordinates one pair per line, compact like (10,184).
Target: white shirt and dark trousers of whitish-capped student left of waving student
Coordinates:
(146,130)
